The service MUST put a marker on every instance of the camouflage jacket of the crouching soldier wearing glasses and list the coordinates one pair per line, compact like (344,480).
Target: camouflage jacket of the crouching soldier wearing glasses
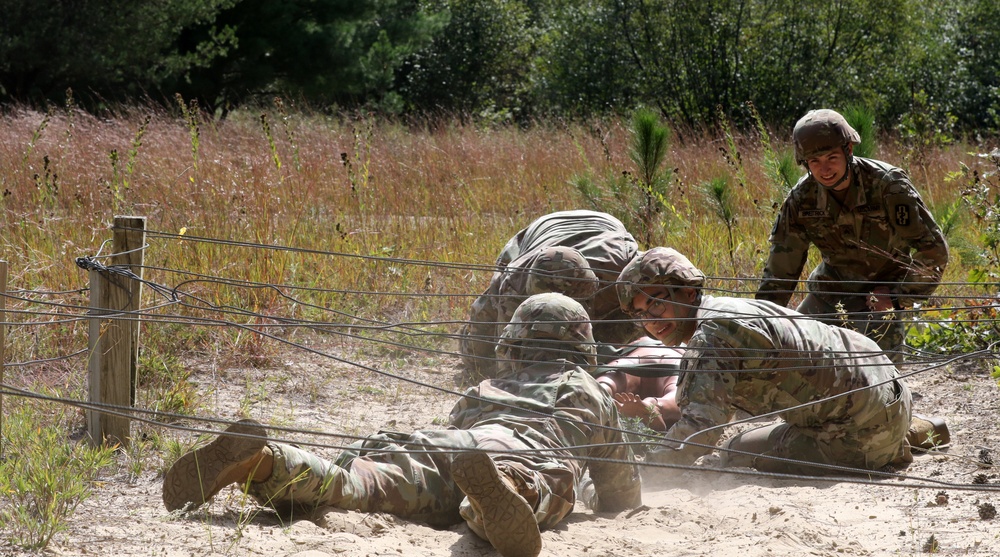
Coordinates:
(759,357)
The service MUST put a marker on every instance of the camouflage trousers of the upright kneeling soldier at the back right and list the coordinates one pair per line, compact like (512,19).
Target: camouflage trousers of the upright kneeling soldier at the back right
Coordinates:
(885,328)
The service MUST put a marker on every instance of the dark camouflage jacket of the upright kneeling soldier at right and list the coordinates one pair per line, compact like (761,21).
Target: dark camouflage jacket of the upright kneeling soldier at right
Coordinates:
(882,233)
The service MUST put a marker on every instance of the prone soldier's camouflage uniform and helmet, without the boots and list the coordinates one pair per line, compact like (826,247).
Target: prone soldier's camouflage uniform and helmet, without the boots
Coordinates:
(536,424)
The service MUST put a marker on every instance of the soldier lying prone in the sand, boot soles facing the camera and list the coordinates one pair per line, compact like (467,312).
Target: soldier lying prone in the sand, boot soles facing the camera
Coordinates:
(508,464)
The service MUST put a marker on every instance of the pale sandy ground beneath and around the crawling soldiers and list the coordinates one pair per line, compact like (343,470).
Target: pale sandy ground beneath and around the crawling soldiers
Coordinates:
(944,506)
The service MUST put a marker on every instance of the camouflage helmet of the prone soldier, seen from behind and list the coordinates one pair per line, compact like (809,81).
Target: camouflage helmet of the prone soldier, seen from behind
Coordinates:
(549,321)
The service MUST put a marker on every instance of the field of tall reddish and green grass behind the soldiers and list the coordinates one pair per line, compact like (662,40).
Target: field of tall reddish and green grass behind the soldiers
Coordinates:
(290,225)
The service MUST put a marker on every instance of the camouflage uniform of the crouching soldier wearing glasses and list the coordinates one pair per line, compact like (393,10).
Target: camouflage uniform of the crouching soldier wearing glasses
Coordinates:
(759,357)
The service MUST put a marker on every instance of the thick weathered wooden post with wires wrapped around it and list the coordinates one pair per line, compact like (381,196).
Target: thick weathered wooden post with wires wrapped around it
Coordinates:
(114,332)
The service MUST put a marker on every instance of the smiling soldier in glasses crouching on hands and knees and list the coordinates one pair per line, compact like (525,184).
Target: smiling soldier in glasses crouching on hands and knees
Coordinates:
(837,393)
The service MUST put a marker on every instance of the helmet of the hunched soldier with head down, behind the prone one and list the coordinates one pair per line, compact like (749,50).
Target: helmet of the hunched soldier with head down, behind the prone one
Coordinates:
(561,269)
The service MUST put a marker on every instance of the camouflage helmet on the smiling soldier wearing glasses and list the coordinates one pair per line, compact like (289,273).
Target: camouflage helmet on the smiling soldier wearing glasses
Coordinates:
(656,266)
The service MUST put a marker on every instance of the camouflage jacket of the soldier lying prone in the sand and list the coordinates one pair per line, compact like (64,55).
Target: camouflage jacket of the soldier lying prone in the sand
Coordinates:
(558,405)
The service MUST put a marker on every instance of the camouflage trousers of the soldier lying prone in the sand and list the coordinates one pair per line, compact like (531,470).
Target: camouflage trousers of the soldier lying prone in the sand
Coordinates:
(409,475)
